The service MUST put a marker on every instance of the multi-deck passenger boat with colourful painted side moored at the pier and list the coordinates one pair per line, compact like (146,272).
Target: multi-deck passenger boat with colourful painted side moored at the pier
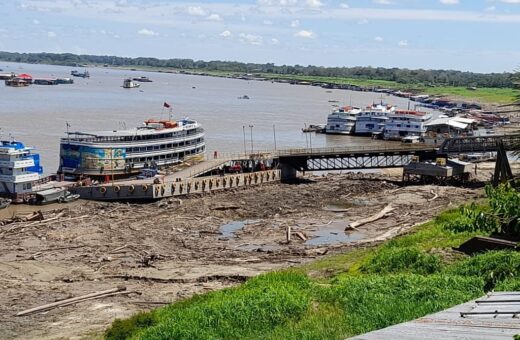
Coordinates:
(123,153)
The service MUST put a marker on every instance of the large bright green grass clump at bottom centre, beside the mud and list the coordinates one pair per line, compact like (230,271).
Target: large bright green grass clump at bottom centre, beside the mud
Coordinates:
(254,308)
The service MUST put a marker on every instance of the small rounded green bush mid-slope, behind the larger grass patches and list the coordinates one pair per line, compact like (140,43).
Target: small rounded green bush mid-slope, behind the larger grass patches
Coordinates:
(394,260)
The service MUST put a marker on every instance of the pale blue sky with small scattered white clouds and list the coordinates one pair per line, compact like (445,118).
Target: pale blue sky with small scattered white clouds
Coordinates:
(467,35)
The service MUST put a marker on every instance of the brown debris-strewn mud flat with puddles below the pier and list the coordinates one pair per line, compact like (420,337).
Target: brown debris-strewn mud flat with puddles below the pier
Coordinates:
(171,249)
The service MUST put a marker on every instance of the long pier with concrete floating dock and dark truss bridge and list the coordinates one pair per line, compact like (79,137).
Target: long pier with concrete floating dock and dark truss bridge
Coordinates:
(201,177)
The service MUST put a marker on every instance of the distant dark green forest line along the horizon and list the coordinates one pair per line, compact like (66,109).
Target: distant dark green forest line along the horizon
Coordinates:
(405,76)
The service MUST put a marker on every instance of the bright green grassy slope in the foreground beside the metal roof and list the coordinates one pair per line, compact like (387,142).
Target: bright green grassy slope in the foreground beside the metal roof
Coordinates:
(338,296)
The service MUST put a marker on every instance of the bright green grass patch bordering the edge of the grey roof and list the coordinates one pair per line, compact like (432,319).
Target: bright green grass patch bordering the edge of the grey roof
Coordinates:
(373,302)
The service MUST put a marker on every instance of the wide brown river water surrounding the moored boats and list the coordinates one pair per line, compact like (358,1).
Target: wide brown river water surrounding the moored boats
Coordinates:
(37,115)
